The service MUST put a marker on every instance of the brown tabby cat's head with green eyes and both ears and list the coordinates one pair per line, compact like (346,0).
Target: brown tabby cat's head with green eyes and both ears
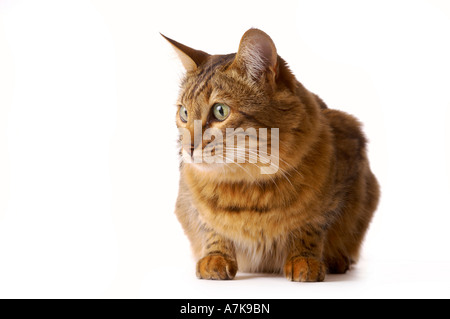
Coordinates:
(227,99)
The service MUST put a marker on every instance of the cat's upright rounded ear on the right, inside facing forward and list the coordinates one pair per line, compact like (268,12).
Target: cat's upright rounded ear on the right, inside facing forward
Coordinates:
(257,54)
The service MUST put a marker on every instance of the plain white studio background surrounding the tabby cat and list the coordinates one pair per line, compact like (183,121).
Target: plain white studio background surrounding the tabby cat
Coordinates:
(88,161)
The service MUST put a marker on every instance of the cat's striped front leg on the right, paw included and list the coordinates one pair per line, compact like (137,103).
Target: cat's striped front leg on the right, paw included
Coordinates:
(304,262)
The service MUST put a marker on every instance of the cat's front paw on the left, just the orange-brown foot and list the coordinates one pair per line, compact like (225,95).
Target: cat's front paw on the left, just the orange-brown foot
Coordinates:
(216,267)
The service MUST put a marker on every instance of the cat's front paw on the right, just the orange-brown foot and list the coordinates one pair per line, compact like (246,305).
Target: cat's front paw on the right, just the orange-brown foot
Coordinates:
(304,269)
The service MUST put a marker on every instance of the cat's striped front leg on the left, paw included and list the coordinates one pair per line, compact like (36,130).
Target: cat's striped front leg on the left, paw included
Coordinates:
(219,261)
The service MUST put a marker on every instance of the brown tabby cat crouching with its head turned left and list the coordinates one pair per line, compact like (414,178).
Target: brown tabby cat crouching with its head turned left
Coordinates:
(308,218)
